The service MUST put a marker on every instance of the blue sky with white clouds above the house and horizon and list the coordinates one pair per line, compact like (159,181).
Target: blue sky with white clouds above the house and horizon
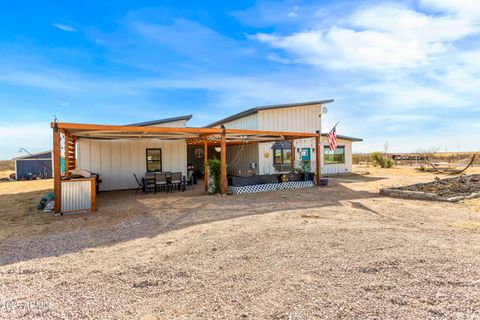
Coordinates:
(404,71)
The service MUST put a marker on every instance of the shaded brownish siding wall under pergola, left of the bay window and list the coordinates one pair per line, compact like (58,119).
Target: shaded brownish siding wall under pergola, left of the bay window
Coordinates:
(239,158)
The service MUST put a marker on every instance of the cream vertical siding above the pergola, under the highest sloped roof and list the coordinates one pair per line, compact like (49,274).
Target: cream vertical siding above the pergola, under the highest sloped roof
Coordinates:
(296,119)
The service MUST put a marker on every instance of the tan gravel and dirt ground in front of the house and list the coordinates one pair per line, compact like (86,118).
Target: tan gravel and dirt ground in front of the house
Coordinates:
(338,252)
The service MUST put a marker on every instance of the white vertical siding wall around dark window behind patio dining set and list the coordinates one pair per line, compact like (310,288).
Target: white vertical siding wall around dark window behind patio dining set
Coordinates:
(117,160)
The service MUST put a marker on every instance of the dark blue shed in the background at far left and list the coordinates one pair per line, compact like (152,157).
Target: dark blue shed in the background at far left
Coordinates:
(38,164)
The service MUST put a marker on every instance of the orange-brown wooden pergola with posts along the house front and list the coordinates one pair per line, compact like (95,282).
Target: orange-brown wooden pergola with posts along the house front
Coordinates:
(205,137)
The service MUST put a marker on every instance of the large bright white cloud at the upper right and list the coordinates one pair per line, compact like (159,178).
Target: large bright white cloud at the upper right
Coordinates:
(377,37)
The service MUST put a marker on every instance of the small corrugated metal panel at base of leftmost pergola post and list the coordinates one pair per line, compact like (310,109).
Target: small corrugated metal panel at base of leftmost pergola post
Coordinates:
(76,195)
